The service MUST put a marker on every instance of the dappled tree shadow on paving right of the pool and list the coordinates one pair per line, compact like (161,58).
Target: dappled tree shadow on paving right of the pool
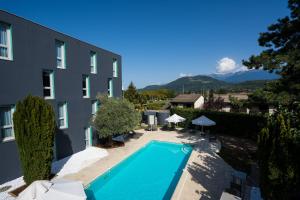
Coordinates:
(213,174)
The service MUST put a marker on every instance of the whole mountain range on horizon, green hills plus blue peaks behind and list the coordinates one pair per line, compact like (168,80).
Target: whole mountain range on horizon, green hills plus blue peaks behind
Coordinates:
(238,81)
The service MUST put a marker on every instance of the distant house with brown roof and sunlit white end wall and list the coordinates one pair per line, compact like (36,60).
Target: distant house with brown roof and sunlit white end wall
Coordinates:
(188,101)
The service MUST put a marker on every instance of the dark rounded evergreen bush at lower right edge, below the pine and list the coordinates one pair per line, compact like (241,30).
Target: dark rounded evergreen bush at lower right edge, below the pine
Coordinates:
(278,156)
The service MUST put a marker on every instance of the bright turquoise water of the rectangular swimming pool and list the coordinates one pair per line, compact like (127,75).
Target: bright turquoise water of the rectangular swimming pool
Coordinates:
(150,173)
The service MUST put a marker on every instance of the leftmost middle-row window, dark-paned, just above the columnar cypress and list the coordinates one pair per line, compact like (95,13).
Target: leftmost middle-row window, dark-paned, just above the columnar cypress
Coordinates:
(48,84)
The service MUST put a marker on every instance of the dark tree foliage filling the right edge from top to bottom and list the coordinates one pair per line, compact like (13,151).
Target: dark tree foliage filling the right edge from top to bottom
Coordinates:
(279,141)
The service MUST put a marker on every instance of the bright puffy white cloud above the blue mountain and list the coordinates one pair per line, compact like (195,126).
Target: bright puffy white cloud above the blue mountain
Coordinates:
(228,65)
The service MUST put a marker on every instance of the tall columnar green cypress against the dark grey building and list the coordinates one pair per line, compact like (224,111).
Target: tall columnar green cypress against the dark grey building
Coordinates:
(34,127)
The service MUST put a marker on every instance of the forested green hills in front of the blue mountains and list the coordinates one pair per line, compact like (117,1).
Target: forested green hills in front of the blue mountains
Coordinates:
(201,82)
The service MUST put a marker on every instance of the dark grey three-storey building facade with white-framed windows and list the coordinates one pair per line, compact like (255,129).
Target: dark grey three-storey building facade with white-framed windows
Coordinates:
(65,71)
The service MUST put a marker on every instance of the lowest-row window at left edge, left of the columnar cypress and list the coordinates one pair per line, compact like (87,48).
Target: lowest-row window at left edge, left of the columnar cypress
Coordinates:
(6,123)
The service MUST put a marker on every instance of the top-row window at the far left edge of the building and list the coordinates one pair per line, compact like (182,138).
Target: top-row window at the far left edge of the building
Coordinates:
(5,42)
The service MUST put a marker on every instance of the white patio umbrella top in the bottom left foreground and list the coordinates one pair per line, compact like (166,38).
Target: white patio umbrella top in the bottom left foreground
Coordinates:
(58,189)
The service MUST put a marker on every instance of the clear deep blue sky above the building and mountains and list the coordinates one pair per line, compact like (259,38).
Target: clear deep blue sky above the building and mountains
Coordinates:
(161,40)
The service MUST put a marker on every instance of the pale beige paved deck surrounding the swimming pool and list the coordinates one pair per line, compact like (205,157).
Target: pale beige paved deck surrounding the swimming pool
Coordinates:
(205,176)
